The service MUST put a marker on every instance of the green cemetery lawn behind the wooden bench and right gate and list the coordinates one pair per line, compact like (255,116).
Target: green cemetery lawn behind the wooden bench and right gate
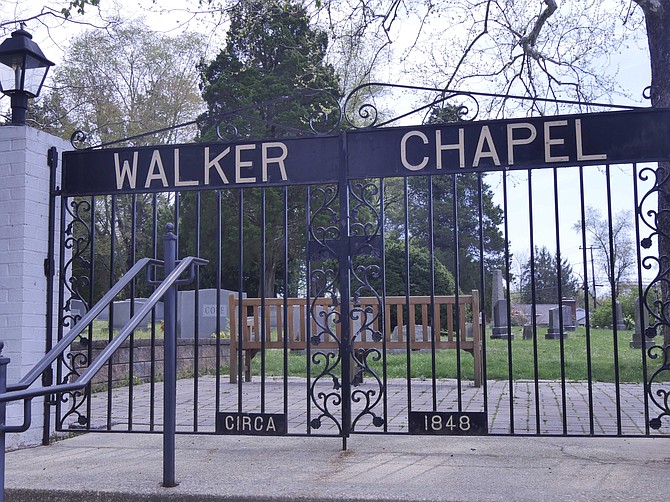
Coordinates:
(497,360)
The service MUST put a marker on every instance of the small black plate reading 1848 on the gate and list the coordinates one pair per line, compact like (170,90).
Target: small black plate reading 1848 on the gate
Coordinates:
(448,423)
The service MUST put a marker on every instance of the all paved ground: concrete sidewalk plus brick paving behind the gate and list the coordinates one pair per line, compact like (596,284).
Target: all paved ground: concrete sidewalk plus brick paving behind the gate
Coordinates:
(120,467)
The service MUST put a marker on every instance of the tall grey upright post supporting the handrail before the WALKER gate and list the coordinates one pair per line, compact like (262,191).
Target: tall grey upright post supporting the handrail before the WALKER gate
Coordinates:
(170,361)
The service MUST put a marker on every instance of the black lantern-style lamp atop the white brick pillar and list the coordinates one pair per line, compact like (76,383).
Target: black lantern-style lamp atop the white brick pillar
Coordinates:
(23,68)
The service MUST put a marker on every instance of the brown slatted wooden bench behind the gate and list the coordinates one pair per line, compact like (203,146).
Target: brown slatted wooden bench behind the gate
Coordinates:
(264,326)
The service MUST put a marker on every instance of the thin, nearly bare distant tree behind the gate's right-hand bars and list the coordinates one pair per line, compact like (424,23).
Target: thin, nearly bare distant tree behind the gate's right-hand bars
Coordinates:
(616,263)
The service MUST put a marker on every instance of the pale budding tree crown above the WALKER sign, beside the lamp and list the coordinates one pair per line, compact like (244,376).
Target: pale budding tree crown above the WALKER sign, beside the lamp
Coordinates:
(126,82)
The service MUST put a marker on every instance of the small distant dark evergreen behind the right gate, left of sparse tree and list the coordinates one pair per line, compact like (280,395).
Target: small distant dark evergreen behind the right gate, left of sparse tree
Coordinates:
(543,280)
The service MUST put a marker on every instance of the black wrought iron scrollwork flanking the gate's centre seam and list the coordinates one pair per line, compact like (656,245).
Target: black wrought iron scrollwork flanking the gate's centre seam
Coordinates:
(327,248)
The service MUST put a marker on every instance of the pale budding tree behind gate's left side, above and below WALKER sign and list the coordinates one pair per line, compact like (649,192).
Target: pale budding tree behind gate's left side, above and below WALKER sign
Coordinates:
(124,83)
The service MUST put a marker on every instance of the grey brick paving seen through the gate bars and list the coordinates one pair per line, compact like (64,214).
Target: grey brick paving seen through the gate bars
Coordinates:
(506,413)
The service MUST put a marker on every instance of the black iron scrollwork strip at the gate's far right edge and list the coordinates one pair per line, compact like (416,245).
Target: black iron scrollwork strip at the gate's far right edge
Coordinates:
(656,295)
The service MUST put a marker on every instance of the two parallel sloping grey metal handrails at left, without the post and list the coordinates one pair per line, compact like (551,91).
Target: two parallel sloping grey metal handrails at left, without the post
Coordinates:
(18,391)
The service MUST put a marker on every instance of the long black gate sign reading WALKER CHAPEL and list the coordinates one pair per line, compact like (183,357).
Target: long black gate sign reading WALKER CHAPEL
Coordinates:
(602,138)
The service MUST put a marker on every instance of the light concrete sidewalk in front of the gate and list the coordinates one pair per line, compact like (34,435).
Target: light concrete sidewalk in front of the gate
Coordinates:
(128,467)
